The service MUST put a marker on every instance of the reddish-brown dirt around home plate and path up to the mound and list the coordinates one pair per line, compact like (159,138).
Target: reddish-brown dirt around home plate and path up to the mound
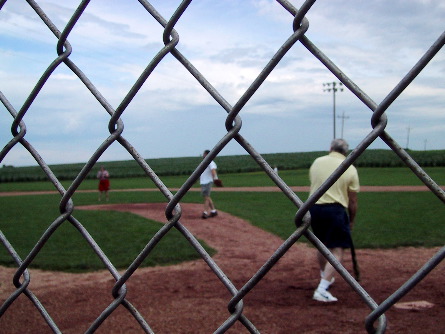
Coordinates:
(188,298)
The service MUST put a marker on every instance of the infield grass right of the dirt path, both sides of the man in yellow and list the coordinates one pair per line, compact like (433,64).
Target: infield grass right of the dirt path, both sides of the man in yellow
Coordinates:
(384,219)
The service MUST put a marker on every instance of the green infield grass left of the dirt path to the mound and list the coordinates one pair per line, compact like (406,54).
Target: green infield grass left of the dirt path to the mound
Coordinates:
(121,236)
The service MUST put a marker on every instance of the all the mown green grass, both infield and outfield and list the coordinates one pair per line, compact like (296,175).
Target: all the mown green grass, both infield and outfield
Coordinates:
(384,220)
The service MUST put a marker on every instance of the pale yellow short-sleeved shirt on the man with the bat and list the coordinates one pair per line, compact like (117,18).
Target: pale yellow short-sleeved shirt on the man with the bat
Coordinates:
(322,168)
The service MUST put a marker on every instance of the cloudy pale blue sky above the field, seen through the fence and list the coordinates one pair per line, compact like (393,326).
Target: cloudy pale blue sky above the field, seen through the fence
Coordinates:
(374,43)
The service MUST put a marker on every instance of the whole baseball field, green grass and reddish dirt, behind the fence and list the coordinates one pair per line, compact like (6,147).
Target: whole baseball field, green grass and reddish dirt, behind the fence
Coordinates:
(397,230)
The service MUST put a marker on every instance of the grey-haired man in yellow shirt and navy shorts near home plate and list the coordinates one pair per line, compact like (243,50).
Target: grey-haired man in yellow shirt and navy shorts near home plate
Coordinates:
(332,217)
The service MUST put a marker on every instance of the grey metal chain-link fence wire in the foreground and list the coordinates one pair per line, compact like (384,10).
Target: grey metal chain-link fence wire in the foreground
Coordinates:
(375,321)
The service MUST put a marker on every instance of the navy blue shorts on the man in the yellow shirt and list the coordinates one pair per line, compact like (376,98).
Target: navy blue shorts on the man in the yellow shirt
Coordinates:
(330,224)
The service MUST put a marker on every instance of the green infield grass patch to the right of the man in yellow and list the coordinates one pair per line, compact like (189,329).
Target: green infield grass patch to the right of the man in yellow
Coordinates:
(390,220)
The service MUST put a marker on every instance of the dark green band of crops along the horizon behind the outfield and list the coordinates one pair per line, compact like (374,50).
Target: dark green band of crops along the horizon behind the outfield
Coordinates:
(226,165)
